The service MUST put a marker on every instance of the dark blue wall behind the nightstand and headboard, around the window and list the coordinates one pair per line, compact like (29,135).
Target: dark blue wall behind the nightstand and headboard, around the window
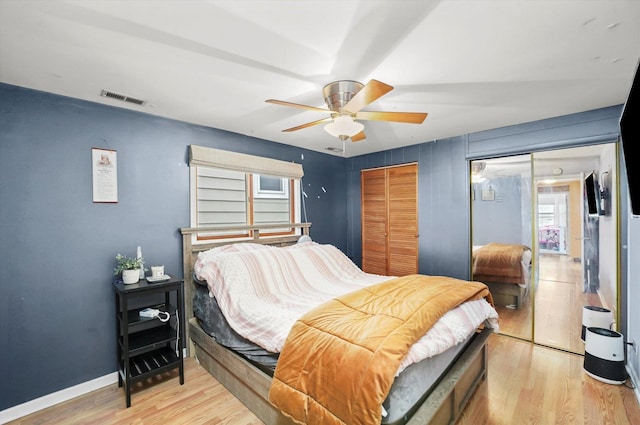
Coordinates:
(57,249)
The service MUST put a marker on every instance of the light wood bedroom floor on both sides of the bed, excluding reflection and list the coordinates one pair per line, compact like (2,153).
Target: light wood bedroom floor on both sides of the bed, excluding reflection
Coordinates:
(526,384)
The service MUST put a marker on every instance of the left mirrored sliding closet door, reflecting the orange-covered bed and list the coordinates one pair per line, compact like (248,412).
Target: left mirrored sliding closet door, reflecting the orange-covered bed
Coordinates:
(501,200)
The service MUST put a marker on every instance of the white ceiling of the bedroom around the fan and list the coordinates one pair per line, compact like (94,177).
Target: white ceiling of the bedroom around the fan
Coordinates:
(472,65)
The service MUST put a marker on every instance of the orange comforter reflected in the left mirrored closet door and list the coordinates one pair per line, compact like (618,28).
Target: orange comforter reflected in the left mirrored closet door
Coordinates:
(497,262)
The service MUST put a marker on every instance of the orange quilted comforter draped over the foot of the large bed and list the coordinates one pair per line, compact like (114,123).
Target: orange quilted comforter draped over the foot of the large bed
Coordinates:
(339,360)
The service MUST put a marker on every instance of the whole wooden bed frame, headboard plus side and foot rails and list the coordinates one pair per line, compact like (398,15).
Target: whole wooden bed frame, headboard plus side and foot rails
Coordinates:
(251,385)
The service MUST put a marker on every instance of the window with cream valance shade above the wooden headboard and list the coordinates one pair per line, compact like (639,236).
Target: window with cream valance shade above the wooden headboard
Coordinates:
(226,193)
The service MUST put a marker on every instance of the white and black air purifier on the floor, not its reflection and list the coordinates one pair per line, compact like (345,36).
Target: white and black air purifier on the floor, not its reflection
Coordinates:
(604,355)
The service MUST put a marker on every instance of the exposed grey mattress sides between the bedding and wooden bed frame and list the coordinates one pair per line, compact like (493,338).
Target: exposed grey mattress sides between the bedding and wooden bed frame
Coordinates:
(407,391)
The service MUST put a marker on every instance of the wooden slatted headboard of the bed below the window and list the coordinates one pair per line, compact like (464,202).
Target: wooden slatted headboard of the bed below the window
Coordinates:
(191,250)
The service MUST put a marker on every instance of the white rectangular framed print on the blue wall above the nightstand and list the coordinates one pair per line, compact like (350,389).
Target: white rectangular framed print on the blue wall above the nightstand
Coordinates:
(104,164)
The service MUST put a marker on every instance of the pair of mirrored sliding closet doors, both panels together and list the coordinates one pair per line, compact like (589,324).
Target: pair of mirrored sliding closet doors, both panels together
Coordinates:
(534,208)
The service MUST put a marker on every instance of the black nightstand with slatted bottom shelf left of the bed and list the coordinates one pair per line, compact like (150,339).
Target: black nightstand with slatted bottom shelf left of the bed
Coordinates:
(148,346)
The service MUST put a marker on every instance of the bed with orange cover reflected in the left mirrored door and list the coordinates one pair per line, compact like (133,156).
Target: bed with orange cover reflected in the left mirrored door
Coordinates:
(506,270)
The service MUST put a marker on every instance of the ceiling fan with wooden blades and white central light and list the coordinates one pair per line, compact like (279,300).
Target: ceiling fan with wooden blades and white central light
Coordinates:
(345,100)
